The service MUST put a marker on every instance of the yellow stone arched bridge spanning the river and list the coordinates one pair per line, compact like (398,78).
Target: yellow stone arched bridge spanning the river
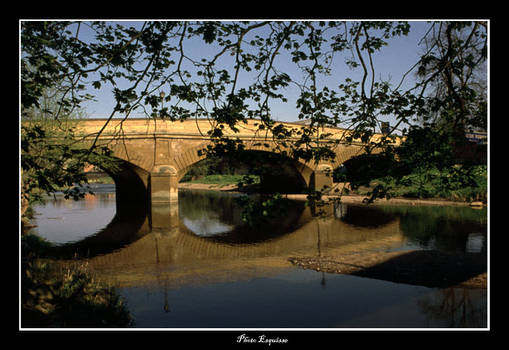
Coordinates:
(155,154)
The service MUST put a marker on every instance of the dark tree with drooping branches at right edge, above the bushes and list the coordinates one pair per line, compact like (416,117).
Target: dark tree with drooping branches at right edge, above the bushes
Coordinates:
(454,64)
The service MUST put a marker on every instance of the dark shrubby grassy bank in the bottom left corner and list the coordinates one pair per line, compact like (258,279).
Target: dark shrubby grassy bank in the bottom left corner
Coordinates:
(61,295)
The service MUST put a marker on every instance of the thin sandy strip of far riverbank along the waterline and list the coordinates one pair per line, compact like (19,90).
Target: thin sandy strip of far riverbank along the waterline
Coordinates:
(347,199)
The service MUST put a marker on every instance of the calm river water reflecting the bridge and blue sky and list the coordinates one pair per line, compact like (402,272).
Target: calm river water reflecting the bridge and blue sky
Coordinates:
(208,263)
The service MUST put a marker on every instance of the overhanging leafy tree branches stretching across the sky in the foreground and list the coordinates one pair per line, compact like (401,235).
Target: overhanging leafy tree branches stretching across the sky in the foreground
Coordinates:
(243,68)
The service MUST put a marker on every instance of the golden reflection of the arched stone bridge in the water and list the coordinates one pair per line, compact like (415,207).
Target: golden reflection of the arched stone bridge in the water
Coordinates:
(203,239)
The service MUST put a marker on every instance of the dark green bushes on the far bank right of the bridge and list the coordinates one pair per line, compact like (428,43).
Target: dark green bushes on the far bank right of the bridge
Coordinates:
(424,166)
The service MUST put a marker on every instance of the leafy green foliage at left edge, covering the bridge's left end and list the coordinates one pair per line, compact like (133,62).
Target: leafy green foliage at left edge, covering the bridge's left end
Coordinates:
(52,158)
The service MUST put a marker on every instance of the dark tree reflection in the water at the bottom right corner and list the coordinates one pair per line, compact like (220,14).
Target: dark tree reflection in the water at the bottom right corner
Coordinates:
(456,307)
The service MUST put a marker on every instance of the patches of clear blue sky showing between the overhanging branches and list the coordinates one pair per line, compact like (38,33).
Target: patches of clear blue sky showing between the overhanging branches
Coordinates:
(392,62)
